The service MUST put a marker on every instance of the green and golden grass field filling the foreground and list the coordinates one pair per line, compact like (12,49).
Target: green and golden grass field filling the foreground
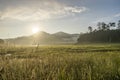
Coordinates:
(67,62)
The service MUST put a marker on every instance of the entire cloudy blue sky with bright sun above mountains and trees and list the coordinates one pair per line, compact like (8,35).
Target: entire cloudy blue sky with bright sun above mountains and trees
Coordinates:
(20,17)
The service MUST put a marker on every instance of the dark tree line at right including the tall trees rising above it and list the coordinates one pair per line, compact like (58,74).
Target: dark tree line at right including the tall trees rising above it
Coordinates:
(103,33)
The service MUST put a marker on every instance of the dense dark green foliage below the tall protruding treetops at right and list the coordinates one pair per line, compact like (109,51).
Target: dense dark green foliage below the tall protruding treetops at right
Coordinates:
(101,37)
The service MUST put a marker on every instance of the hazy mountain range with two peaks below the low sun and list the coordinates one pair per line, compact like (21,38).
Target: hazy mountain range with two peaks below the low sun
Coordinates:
(44,38)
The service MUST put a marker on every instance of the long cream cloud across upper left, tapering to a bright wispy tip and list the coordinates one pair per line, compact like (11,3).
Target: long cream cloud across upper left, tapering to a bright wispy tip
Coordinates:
(42,11)
